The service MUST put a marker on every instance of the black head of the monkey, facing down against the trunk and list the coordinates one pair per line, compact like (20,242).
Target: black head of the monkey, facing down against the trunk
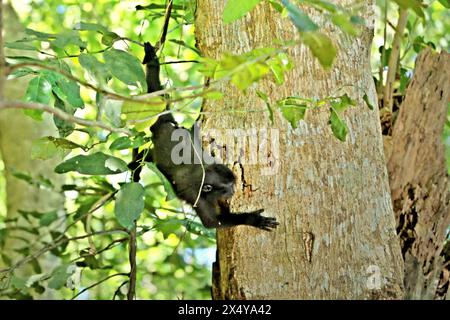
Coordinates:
(219,182)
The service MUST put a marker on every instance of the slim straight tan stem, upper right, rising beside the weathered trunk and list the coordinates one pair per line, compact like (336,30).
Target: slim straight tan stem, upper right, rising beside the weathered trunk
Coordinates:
(388,100)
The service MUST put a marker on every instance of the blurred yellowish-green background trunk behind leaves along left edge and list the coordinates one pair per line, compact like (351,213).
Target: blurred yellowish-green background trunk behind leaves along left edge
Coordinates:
(17,132)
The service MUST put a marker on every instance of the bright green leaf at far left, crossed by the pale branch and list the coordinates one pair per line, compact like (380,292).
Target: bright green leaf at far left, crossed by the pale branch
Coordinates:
(39,90)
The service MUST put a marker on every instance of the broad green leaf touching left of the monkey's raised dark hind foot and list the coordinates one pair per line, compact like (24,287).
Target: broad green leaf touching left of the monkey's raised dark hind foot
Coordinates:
(125,67)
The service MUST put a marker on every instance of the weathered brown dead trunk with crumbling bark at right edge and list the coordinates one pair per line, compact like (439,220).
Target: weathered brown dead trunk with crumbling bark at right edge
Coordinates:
(418,176)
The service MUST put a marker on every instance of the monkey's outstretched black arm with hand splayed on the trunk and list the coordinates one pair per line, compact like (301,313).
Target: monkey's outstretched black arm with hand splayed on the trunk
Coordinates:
(218,216)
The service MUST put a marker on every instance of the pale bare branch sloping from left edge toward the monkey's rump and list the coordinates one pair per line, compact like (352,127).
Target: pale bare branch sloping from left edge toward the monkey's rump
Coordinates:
(60,114)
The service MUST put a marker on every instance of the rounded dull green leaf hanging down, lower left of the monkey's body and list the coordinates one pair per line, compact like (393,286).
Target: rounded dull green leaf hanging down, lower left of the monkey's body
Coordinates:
(129,204)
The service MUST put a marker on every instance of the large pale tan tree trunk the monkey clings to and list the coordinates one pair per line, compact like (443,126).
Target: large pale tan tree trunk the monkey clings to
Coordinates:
(329,196)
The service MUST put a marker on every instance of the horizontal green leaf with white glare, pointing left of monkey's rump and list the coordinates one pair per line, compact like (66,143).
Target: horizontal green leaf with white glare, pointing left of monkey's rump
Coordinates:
(94,164)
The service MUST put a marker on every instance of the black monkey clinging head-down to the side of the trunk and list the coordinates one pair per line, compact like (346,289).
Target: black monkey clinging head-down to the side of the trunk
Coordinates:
(214,182)
